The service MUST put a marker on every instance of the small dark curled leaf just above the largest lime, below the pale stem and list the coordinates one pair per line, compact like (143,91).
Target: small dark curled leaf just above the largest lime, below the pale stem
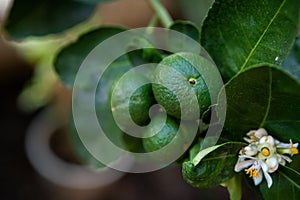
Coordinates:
(187,28)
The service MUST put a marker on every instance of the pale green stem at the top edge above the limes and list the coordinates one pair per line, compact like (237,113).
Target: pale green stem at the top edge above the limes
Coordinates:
(161,12)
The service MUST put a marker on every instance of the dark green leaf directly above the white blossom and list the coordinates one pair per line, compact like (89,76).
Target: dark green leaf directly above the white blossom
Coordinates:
(263,96)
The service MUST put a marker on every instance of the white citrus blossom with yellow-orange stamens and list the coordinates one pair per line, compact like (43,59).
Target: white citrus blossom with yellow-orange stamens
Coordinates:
(263,155)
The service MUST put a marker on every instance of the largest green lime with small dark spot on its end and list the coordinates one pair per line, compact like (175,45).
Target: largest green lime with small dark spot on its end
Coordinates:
(180,87)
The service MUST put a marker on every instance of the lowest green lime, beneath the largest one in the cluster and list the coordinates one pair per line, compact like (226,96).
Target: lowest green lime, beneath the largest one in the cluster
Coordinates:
(164,130)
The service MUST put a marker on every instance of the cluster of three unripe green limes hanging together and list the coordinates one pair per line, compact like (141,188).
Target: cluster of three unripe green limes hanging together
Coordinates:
(178,87)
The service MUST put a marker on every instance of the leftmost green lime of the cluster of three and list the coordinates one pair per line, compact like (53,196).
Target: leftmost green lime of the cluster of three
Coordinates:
(132,93)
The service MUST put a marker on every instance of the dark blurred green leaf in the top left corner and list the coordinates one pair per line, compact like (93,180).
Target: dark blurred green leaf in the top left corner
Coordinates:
(37,18)
